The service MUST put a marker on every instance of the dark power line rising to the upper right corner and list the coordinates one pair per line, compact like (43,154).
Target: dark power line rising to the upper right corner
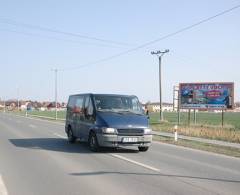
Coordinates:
(155,40)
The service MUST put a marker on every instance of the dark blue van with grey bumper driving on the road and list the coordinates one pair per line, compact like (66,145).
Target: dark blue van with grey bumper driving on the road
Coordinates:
(106,120)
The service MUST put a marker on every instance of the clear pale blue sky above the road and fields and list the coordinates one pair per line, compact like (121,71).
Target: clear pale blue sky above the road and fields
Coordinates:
(30,47)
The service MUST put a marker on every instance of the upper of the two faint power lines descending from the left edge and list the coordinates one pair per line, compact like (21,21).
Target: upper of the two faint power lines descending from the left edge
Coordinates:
(41,28)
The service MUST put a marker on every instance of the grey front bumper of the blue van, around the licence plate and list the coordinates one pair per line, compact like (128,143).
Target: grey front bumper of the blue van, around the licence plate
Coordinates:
(110,140)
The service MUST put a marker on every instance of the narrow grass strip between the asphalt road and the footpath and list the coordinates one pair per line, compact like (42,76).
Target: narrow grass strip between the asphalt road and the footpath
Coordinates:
(235,152)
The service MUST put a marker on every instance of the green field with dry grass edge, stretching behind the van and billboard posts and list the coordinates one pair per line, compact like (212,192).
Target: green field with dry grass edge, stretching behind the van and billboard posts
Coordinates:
(208,125)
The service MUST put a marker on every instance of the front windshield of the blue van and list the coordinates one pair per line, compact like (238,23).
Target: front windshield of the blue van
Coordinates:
(115,103)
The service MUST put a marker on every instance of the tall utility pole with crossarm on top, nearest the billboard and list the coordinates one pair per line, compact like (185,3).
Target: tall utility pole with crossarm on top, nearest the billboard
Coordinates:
(160,54)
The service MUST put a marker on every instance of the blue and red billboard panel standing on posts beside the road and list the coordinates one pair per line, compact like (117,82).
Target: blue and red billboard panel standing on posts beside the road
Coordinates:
(206,95)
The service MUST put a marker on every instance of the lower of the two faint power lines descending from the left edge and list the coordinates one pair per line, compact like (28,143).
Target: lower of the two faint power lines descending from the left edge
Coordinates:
(58,39)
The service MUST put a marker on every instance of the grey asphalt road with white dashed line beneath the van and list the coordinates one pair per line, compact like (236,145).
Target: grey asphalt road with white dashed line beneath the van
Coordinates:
(35,158)
